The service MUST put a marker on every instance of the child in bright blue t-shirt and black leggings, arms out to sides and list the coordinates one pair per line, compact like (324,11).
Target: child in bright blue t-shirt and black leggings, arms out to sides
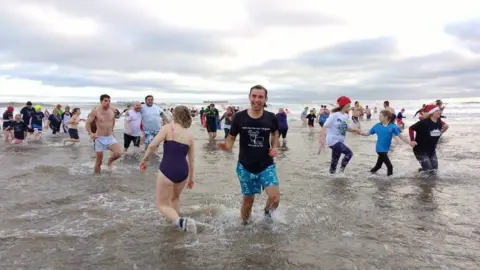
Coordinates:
(385,130)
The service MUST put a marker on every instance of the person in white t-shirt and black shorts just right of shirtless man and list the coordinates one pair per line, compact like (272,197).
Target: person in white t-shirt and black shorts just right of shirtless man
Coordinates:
(133,120)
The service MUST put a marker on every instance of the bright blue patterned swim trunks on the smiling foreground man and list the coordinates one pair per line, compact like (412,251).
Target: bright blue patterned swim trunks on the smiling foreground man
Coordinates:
(253,183)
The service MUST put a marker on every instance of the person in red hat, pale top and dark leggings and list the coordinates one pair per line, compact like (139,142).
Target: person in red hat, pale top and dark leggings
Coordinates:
(334,131)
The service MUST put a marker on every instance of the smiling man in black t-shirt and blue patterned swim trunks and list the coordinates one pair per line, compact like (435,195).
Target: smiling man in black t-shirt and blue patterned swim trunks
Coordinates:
(256,169)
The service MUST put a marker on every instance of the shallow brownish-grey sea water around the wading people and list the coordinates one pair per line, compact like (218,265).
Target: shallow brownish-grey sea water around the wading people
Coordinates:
(56,214)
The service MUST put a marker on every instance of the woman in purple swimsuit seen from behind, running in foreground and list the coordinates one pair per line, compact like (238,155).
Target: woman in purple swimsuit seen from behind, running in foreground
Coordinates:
(175,172)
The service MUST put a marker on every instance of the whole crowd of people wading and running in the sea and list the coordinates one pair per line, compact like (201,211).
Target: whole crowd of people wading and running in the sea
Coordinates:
(258,129)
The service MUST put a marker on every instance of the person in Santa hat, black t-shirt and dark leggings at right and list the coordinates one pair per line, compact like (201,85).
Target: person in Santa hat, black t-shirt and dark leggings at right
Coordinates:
(424,136)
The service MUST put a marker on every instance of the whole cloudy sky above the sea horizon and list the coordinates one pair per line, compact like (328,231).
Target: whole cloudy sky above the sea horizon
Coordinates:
(217,49)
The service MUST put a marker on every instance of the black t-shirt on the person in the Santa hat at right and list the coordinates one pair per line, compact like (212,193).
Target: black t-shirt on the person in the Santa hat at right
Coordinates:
(427,134)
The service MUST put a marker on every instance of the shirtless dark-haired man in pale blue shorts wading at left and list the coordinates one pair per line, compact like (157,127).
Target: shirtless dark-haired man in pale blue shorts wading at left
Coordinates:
(104,118)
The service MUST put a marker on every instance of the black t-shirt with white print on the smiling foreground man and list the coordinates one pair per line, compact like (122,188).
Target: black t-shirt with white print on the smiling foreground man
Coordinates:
(254,139)
